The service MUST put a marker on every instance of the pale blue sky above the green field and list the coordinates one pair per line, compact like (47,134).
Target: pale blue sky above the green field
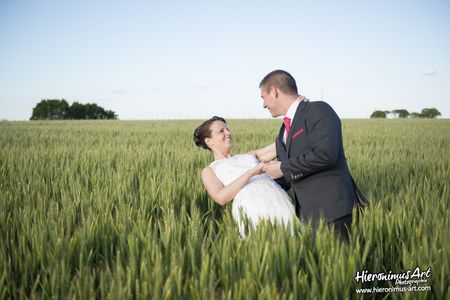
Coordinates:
(195,59)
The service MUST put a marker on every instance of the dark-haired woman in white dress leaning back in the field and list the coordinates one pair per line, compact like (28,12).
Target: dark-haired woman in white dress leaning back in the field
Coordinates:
(241,177)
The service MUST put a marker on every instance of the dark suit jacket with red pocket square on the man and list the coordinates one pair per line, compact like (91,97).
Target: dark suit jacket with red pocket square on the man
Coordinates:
(314,164)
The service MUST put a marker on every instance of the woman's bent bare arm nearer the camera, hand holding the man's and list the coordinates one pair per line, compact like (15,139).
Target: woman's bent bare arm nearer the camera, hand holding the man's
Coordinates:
(224,194)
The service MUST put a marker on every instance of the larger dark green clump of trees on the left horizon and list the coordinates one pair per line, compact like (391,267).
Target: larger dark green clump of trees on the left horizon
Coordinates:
(55,109)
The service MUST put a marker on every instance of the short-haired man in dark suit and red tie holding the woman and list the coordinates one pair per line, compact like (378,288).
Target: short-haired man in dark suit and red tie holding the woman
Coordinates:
(310,154)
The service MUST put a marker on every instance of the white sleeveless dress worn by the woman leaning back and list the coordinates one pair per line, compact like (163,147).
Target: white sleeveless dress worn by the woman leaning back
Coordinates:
(260,198)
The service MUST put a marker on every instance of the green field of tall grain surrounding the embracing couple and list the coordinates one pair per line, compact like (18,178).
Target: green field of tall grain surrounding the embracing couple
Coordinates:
(117,210)
